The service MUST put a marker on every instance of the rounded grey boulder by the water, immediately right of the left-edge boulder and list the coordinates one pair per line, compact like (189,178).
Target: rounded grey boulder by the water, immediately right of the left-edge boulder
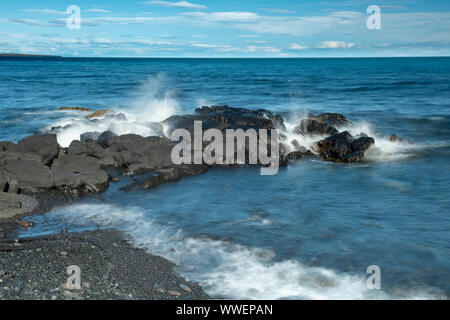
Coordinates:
(79,173)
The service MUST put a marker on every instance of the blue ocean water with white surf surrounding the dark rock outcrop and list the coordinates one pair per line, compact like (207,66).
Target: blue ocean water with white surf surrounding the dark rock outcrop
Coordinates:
(310,231)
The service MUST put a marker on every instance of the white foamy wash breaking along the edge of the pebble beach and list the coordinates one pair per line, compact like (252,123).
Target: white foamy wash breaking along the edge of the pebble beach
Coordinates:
(224,269)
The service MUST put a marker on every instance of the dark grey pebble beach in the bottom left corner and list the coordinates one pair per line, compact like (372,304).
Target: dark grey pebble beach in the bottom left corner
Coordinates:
(110,268)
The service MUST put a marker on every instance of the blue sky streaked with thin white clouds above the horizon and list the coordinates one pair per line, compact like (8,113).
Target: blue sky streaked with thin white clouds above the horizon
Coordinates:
(211,28)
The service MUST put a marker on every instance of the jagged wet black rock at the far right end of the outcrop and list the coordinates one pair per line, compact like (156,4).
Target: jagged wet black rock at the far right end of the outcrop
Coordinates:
(342,147)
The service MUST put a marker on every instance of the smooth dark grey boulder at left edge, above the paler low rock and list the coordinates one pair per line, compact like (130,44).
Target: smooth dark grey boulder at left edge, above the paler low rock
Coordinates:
(27,175)
